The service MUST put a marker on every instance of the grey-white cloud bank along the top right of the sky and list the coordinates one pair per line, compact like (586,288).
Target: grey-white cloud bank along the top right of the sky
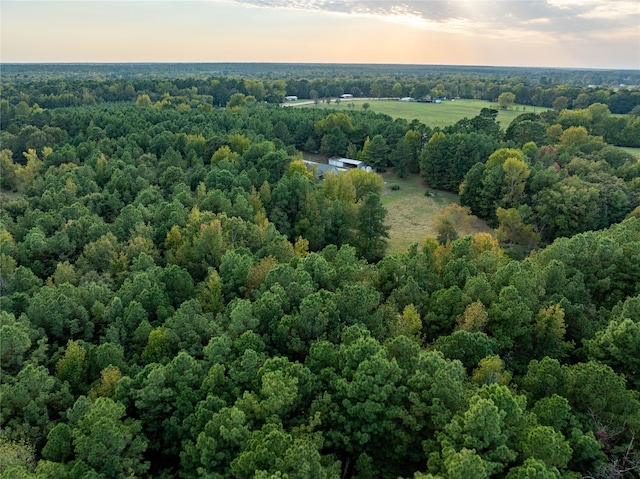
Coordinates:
(484,17)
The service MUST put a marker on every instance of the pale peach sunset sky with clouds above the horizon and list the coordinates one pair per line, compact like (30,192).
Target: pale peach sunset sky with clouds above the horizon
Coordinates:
(550,33)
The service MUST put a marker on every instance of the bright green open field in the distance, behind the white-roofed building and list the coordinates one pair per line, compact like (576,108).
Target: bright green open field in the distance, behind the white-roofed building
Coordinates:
(431,114)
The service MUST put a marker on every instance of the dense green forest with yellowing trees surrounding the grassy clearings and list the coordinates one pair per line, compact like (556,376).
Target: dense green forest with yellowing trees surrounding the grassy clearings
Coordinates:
(182,297)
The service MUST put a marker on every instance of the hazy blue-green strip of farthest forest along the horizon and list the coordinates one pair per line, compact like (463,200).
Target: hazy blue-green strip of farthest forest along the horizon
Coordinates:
(159,71)
